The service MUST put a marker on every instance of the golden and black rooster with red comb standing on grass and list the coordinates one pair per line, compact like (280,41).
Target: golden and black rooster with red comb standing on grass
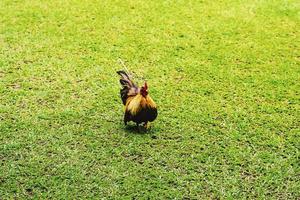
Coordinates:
(139,106)
